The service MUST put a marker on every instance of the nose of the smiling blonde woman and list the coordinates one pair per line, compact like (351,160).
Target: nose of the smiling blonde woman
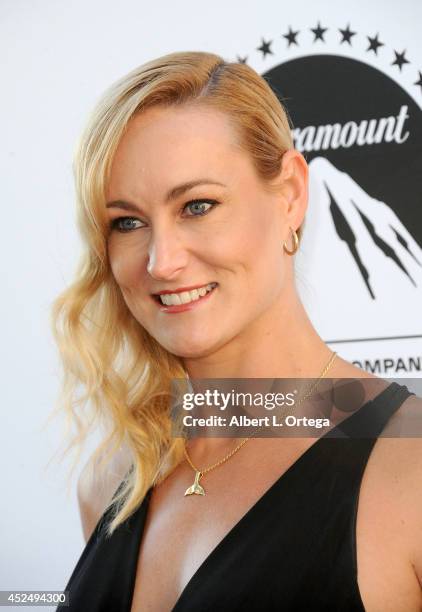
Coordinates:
(166,255)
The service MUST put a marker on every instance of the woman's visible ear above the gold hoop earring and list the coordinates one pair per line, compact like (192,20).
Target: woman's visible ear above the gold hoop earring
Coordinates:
(293,181)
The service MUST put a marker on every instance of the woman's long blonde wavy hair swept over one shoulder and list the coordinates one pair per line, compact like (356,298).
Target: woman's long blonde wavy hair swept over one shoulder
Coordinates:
(125,374)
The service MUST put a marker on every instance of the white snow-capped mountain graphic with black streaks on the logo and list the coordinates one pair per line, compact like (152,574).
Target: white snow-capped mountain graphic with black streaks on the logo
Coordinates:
(358,268)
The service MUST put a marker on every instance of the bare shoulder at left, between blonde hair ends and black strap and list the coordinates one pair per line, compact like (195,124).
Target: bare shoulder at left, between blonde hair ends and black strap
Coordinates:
(96,486)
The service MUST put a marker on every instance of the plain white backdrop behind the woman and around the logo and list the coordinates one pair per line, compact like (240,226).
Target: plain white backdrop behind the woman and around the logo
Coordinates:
(58,57)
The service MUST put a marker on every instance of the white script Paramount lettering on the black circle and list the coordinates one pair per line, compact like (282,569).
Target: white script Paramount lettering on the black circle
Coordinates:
(367,132)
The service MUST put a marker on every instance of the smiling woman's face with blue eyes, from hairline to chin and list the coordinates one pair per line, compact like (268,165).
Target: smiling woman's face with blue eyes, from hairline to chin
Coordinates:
(187,209)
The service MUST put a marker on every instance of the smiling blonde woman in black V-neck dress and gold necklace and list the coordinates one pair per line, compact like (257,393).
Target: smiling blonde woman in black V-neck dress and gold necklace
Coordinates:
(187,178)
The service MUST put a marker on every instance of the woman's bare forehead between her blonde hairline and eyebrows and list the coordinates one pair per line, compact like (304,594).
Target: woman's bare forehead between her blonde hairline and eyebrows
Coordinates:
(165,146)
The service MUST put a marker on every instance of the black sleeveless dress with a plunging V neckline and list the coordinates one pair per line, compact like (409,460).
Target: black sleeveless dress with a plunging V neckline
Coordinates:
(294,550)
